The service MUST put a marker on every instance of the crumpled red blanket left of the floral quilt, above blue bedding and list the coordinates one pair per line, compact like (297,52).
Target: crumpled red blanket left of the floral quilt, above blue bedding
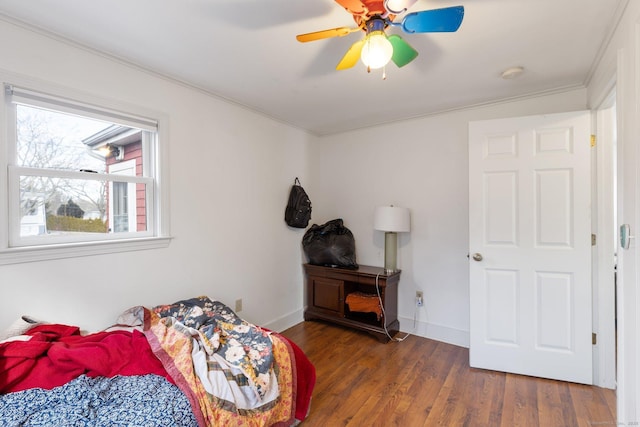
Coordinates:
(56,354)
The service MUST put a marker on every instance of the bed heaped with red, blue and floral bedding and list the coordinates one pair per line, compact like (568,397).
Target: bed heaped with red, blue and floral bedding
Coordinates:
(189,363)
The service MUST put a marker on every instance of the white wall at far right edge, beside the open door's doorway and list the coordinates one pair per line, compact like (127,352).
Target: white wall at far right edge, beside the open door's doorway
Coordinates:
(619,65)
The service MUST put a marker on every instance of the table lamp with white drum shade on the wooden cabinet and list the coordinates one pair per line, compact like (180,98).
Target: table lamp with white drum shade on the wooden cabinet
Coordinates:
(391,220)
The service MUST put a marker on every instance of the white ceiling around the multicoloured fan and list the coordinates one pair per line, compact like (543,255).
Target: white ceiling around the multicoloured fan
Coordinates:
(246,51)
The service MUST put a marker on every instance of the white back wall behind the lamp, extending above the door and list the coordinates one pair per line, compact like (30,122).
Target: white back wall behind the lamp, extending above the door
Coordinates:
(421,164)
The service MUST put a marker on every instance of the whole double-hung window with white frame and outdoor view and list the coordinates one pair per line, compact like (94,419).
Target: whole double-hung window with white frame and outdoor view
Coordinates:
(79,176)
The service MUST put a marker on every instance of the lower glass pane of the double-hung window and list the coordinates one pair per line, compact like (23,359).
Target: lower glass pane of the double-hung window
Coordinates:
(63,206)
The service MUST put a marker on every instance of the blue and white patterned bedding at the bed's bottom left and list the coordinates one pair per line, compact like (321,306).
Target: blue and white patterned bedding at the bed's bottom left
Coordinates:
(133,401)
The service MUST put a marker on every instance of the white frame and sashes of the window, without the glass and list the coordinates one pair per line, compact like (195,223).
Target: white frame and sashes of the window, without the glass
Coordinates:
(67,100)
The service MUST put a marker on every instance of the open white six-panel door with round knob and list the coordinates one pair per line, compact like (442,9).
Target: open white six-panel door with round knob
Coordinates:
(530,246)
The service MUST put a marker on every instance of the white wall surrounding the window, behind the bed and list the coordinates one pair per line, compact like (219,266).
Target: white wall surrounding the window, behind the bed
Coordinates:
(230,173)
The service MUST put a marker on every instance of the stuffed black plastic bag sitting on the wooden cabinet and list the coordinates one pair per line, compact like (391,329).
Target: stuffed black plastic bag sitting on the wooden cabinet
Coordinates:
(330,244)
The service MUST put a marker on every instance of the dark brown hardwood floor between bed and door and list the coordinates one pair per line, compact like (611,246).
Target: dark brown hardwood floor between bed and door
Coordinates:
(421,382)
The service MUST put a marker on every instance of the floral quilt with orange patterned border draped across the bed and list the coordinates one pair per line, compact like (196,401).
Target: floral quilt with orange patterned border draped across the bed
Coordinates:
(232,372)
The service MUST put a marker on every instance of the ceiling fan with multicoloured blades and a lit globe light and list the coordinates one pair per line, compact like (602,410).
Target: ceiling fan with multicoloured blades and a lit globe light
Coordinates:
(373,17)
